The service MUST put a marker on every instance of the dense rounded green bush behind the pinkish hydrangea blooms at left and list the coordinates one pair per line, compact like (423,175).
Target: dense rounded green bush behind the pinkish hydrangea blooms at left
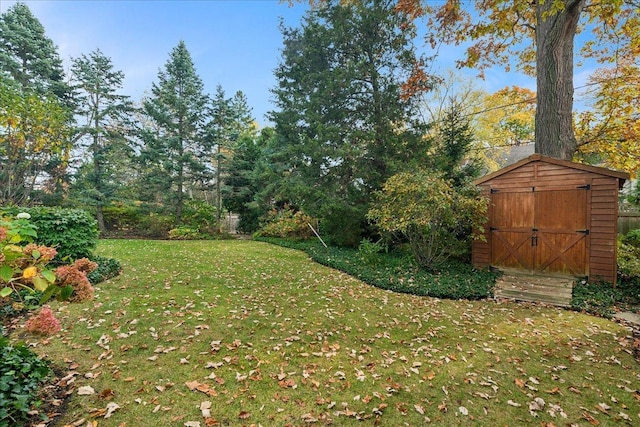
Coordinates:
(73,232)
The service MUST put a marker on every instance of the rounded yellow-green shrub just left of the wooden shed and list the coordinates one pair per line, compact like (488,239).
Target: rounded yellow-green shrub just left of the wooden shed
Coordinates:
(436,218)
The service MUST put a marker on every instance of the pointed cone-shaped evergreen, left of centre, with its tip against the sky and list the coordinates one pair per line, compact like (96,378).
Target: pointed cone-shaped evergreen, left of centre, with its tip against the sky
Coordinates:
(175,146)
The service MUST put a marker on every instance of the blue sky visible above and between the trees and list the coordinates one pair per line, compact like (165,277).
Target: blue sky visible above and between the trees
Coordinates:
(234,43)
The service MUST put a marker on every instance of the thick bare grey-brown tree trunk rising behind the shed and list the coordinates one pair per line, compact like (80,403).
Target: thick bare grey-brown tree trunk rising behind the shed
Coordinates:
(554,67)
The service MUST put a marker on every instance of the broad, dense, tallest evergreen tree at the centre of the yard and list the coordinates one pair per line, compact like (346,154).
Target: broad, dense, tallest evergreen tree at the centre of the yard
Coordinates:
(347,95)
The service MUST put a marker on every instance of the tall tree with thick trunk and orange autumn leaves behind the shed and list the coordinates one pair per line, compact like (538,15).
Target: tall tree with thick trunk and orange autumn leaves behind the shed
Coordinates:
(538,40)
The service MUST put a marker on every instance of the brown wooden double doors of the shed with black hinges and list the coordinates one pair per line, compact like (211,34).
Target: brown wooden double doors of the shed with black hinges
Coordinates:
(540,229)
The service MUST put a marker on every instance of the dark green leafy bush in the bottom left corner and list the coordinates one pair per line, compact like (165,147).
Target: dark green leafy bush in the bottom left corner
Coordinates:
(21,373)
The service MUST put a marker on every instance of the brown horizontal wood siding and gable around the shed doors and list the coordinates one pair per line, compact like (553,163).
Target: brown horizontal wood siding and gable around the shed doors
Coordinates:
(602,205)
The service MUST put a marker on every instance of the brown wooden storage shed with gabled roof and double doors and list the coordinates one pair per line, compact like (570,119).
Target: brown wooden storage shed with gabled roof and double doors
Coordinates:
(552,217)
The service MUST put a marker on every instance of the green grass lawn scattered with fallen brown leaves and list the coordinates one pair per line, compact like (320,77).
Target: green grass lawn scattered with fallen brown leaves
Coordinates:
(226,333)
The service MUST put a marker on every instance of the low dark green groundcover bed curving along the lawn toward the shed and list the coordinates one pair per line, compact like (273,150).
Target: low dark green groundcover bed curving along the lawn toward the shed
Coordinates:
(398,272)
